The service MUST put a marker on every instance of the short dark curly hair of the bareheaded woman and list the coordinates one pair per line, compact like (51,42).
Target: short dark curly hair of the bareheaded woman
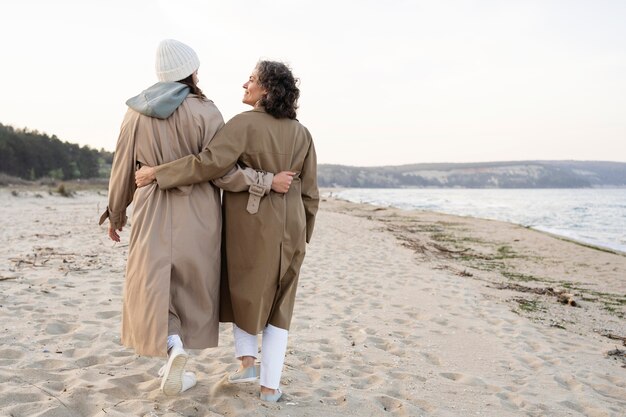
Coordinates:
(281,100)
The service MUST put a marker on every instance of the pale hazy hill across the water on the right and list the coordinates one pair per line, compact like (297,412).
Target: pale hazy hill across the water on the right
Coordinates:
(518,174)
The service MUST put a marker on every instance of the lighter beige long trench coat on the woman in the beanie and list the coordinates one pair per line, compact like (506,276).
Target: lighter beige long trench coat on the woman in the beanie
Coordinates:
(174,249)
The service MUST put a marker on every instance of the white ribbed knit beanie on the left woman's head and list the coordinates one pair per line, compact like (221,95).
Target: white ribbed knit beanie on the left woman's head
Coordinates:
(175,61)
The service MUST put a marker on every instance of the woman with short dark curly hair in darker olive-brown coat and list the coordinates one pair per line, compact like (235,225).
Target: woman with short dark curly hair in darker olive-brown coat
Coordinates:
(264,239)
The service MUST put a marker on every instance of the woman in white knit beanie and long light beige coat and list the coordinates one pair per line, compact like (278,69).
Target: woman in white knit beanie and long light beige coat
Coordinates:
(171,289)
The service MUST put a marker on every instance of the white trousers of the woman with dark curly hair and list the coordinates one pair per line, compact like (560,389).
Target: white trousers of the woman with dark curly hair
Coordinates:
(273,348)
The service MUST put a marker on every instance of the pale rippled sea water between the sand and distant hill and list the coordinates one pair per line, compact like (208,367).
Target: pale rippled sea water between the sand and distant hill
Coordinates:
(594,216)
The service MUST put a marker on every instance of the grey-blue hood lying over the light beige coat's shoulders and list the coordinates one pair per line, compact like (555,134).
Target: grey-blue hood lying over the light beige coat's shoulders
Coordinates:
(160,100)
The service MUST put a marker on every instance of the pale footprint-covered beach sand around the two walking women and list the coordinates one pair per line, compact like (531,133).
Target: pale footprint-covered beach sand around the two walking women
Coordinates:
(398,313)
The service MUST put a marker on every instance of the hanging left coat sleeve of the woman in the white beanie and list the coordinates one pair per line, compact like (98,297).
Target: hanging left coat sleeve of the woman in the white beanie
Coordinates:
(122,181)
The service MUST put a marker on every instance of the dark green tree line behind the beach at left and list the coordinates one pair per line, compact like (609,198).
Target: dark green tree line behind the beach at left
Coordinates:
(31,155)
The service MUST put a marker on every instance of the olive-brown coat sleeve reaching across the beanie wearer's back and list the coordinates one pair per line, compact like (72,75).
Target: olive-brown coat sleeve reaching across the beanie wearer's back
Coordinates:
(213,162)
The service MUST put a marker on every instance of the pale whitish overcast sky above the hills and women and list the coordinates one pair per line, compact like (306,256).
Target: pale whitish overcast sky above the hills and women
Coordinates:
(382,82)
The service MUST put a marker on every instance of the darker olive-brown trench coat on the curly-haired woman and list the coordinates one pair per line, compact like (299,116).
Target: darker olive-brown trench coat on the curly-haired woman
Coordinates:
(264,251)
